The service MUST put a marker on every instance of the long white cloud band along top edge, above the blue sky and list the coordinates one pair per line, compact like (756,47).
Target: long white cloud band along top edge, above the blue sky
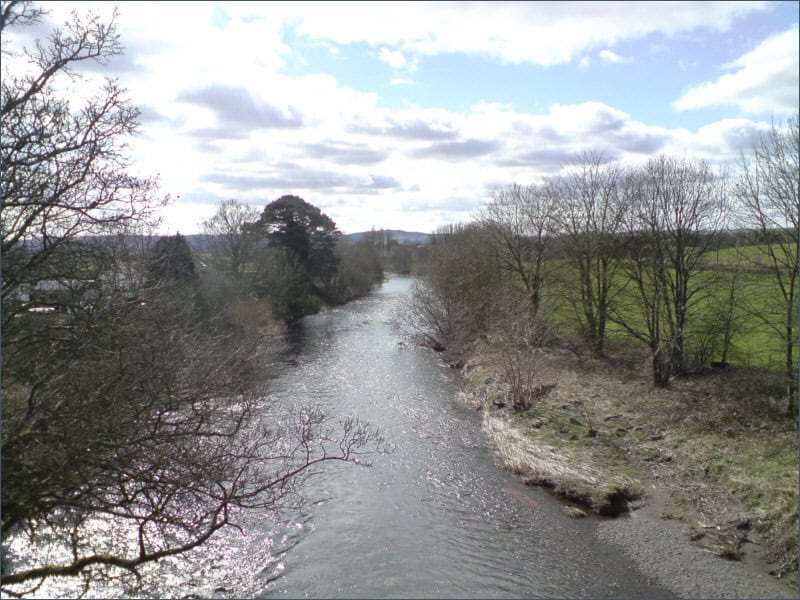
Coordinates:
(534,33)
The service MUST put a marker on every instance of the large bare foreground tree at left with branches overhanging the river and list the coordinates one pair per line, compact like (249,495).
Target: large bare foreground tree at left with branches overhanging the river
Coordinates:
(123,407)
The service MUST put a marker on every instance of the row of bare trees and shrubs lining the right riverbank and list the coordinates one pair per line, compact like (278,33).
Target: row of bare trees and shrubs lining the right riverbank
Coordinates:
(684,260)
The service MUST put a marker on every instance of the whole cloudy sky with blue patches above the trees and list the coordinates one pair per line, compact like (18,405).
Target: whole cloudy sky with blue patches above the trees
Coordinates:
(409,115)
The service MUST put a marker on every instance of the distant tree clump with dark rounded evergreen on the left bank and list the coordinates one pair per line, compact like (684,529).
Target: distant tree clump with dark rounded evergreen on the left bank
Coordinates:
(293,257)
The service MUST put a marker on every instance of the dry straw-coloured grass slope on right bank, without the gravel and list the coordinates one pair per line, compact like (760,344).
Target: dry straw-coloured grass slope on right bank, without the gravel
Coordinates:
(716,446)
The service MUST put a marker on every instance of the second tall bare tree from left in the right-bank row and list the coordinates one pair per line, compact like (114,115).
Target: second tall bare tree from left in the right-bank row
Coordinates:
(592,210)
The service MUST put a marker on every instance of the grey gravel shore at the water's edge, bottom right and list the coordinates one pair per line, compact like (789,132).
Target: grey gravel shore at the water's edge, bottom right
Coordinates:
(660,552)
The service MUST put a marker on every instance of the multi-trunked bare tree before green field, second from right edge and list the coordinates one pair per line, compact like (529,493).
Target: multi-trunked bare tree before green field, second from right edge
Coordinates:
(677,208)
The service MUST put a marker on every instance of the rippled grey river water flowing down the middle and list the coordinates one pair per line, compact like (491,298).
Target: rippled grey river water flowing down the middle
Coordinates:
(436,516)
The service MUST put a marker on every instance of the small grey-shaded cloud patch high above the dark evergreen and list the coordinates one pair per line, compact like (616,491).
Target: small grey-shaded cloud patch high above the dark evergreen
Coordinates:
(236,106)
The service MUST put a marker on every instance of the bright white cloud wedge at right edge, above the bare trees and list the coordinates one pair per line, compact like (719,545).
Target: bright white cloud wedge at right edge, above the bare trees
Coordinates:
(764,80)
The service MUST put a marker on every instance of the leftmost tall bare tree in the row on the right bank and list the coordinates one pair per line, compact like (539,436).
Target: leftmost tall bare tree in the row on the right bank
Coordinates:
(521,220)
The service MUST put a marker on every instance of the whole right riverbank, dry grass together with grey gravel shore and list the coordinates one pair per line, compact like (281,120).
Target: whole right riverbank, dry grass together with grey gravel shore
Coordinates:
(709,467)
